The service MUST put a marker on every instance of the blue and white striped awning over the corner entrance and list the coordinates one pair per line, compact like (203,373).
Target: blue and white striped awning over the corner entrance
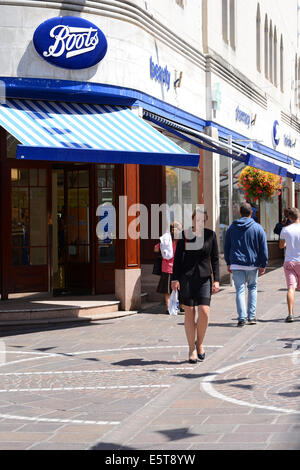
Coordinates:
(73,132)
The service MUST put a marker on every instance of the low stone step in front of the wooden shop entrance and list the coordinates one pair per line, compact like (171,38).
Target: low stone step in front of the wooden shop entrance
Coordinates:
(30,309)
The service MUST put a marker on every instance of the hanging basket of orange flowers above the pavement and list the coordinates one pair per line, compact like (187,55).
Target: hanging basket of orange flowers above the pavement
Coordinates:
(259,185)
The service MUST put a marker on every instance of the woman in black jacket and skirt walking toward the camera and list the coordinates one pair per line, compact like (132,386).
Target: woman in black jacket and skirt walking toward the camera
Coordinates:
(196,262)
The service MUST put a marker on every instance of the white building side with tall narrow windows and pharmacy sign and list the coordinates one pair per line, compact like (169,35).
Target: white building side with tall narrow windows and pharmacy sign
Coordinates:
(253,70)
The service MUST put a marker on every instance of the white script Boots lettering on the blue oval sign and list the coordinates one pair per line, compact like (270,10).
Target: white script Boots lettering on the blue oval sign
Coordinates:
(73,41)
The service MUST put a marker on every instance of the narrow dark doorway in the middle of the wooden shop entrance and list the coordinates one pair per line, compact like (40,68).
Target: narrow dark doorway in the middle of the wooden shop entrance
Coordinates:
(71,245)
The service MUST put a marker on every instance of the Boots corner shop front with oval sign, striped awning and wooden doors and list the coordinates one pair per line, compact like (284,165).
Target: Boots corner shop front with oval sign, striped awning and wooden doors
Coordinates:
(84,144)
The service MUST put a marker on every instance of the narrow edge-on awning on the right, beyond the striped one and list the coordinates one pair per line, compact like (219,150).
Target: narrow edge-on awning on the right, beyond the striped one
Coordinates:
(283,165)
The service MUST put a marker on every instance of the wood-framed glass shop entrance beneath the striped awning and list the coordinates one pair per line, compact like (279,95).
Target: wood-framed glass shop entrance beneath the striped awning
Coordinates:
(53,236)
